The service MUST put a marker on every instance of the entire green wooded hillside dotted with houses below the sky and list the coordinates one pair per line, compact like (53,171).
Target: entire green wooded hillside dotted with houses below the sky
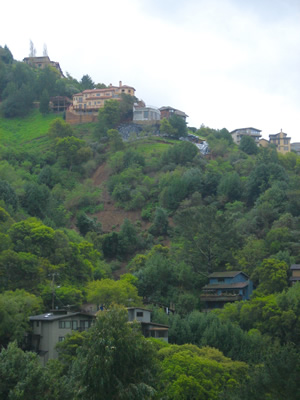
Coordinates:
(141,269)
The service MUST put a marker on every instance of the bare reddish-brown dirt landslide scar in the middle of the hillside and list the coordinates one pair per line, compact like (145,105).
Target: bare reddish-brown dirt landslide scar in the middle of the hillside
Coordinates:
(112,217)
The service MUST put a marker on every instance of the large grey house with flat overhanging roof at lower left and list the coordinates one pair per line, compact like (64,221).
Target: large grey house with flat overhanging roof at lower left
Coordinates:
(50,328)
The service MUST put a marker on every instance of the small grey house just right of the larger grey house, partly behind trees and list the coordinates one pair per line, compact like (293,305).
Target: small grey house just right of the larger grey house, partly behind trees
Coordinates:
(149,329)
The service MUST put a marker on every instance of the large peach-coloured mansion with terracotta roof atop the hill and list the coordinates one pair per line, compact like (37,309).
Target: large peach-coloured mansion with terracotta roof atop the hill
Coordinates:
(92,100)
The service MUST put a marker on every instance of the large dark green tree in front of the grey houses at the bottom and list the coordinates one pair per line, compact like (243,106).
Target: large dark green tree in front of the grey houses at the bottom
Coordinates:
(115,360)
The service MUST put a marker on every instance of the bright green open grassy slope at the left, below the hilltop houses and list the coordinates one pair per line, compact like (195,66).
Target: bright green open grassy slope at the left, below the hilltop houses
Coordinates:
(20,132)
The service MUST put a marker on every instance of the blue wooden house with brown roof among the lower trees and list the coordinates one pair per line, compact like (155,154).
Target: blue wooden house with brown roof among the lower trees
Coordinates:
(226,287)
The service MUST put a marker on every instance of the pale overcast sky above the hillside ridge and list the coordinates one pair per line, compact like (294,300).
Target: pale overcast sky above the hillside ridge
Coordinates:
(226,63)
